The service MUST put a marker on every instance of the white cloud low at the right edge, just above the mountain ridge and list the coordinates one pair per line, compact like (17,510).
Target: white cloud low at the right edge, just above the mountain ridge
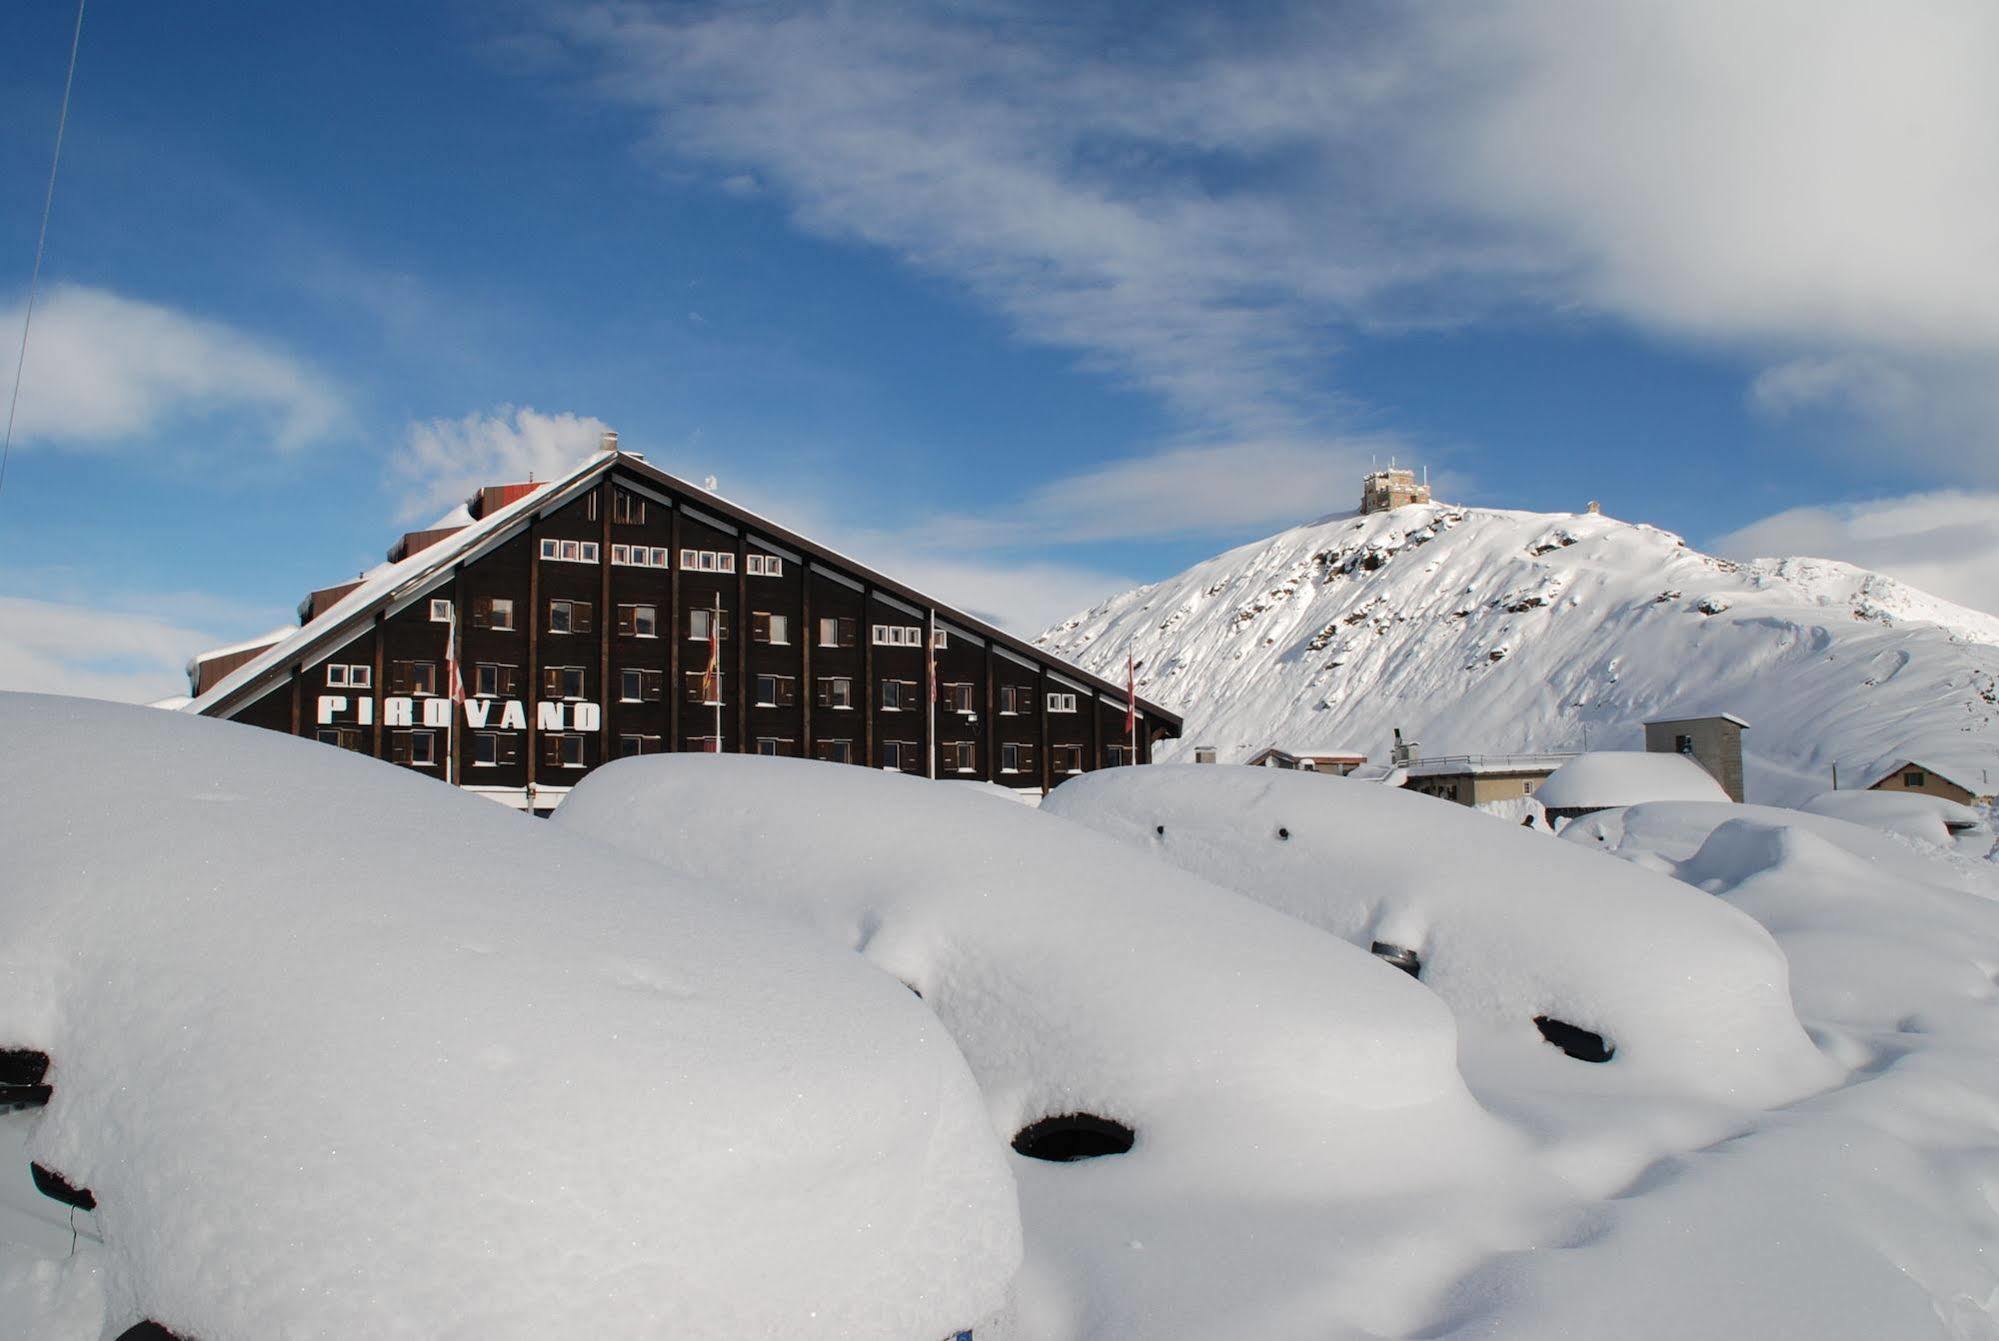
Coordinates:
(1946,545)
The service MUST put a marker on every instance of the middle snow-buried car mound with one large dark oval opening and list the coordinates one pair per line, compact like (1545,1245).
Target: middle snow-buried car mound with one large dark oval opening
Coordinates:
(1264,1068)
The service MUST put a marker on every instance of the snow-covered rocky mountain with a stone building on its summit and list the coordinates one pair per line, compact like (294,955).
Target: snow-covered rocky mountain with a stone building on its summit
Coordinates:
(1482,633)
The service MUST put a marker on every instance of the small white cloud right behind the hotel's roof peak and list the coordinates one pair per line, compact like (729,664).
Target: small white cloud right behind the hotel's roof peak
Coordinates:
(445,461)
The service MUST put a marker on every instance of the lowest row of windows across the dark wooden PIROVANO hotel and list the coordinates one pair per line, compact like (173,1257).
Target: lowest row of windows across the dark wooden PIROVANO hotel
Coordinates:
(571,750)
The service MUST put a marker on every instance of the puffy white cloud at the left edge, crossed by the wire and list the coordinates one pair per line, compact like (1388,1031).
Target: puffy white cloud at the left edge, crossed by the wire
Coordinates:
(105,369)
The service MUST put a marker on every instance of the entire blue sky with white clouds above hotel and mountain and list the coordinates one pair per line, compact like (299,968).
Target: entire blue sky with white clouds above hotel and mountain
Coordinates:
(1020,303)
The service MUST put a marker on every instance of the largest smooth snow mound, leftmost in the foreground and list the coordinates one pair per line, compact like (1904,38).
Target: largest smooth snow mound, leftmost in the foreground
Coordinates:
(349,1054)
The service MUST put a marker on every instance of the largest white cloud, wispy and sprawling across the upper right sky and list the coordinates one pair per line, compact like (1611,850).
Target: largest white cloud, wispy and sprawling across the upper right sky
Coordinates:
(1214,209)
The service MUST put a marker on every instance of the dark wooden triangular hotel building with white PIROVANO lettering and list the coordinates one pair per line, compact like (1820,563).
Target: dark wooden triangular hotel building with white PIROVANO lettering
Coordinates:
(619,613)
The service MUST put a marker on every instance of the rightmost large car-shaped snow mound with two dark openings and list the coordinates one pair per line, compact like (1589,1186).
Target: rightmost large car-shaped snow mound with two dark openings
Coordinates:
(1508,926)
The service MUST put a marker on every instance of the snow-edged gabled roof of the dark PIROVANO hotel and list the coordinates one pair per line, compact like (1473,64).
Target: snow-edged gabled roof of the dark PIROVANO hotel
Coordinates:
(433,567)
